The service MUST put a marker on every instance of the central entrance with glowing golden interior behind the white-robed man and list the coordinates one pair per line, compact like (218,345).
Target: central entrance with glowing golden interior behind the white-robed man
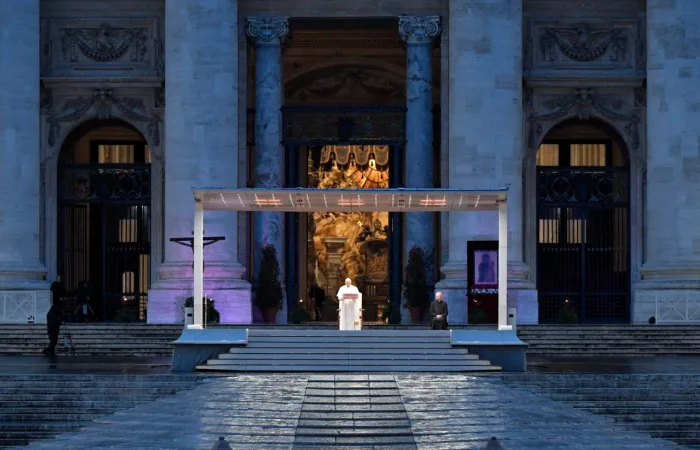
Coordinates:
(326,247)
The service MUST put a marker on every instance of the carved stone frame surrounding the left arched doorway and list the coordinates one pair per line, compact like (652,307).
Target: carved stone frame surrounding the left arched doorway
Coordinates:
(63,108)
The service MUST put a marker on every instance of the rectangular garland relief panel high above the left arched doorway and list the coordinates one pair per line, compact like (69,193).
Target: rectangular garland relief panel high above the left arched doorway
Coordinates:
(86,47)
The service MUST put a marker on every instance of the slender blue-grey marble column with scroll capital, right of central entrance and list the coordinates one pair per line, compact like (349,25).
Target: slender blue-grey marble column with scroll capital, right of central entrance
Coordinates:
(419,33)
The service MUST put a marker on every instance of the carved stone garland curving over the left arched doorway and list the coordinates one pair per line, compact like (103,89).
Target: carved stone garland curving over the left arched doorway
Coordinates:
(105,103)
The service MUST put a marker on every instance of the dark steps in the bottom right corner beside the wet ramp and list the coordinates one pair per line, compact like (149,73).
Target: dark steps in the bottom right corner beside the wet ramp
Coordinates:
(663,405)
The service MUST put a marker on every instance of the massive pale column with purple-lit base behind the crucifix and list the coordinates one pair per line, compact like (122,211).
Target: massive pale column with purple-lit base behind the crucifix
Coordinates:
(201,149)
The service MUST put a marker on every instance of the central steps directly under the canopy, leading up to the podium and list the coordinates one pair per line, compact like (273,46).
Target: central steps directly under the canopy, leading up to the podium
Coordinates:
(271,350)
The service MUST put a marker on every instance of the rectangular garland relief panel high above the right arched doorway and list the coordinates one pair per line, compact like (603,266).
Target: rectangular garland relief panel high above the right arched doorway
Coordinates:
(592,45)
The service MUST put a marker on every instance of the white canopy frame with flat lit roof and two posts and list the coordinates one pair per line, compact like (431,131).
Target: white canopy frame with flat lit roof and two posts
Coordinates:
(350,200)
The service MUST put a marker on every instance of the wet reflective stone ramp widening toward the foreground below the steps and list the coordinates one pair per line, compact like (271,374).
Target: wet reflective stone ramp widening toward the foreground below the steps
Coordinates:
(280,411)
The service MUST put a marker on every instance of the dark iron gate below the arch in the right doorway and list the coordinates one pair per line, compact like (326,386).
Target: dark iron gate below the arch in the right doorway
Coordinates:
(583,243)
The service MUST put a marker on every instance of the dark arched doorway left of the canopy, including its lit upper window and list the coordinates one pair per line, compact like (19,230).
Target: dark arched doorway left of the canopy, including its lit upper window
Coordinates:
(104,217)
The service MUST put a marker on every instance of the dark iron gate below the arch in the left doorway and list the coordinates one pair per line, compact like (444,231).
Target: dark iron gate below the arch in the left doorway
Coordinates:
(104,219)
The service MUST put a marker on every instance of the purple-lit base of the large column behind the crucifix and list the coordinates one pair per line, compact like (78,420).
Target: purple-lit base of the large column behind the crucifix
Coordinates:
(232,297)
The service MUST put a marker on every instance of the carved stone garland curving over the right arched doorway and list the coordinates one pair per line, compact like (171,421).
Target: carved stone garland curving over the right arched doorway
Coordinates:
(585,103)
